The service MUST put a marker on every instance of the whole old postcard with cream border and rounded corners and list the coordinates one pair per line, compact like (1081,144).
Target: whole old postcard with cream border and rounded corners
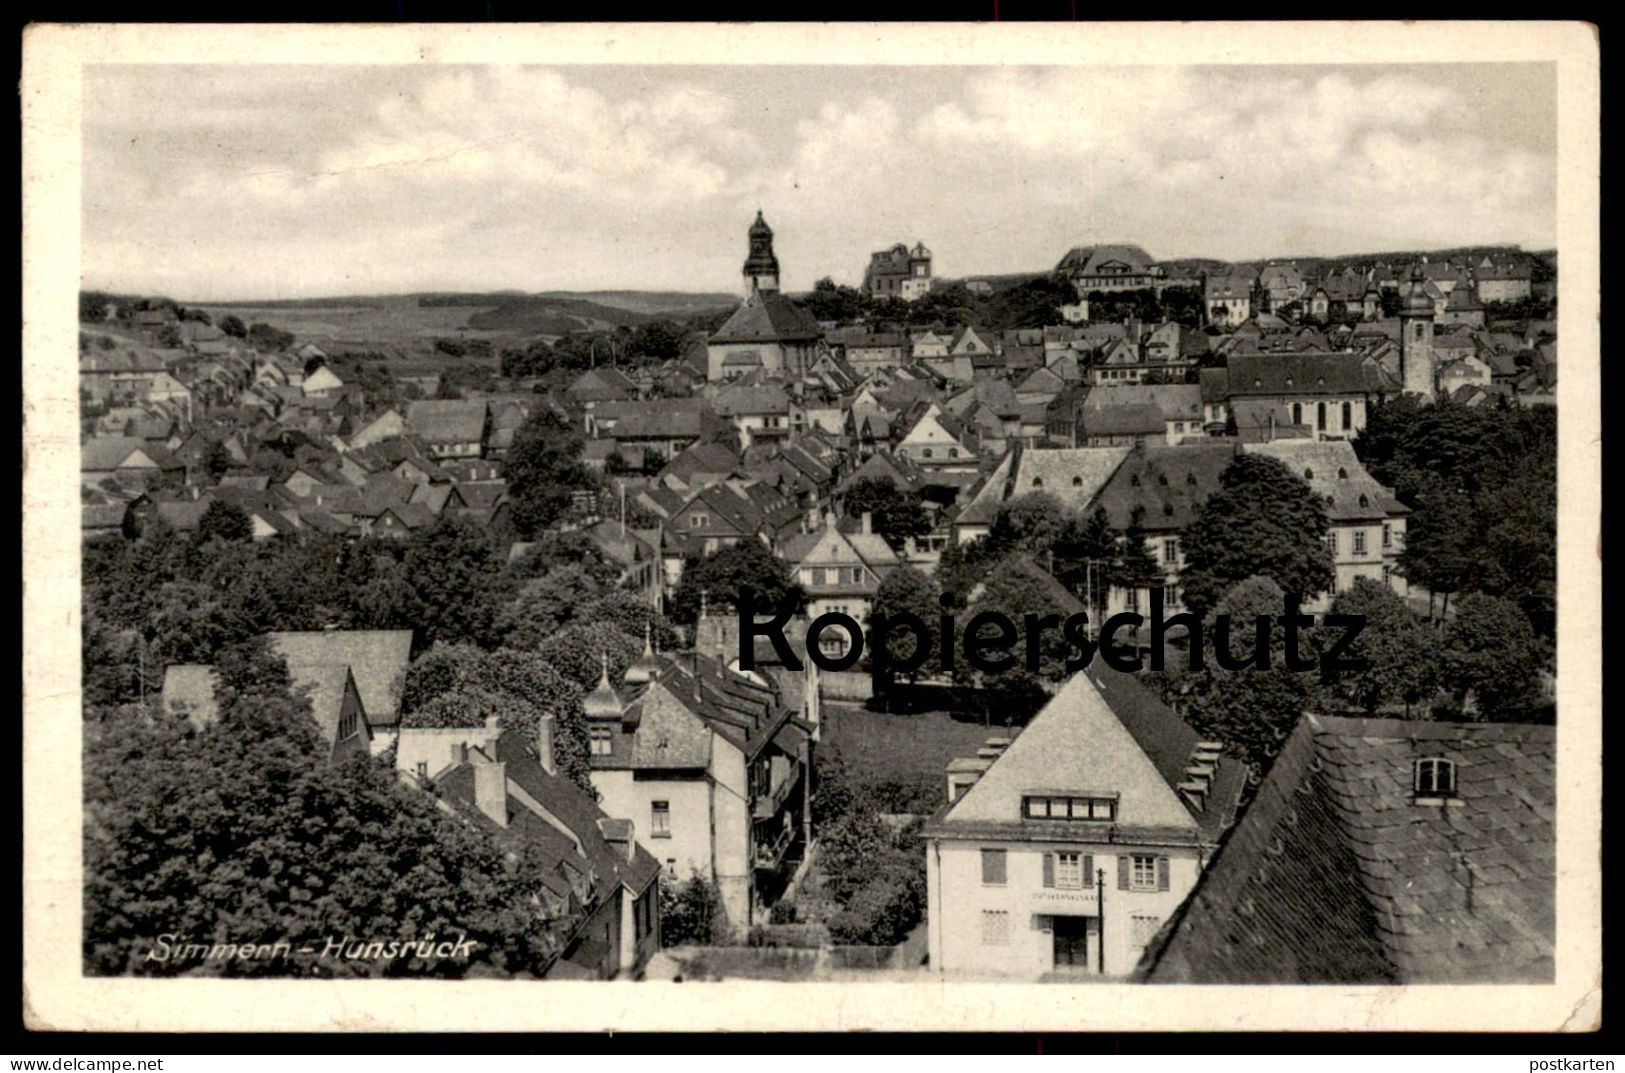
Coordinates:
(758,516)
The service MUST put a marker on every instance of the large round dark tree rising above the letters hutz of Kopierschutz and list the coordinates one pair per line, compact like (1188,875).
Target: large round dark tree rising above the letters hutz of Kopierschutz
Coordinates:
(1263,521)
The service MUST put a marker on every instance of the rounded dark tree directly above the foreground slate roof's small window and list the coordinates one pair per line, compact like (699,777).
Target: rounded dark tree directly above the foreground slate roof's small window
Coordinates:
(1493,658)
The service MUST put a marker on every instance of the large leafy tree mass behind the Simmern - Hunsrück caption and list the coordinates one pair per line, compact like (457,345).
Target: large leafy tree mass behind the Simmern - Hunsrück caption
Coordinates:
(209,835)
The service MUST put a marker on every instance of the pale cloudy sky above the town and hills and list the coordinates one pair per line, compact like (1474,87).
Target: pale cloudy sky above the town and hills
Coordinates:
(219,183)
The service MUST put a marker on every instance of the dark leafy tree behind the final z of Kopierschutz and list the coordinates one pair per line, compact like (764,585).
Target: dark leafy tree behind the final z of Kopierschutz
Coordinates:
(1398,648)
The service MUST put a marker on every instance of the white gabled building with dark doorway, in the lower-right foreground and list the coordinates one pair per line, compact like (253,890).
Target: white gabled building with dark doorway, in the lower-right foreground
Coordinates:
(1065,849)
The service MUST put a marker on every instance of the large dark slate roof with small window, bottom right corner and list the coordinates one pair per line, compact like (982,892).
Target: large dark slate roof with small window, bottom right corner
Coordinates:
(1338,874)
